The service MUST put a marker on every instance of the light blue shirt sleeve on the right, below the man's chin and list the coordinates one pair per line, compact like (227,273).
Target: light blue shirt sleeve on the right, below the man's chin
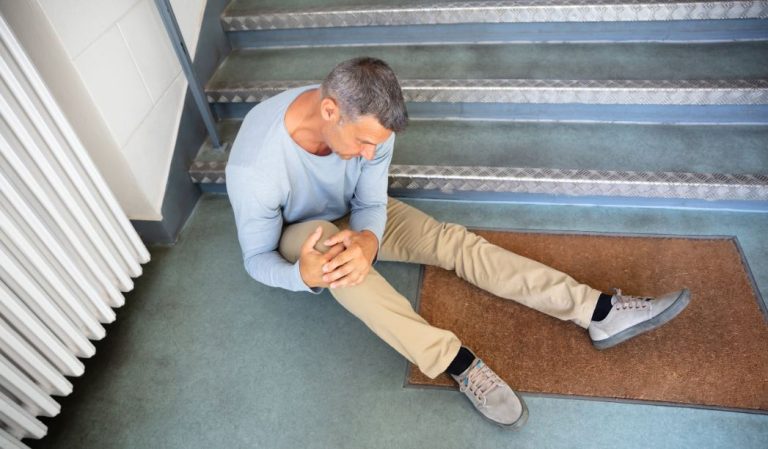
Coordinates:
(368,207)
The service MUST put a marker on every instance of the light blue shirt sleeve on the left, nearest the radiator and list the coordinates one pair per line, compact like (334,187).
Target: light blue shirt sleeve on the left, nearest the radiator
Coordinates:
(259,222)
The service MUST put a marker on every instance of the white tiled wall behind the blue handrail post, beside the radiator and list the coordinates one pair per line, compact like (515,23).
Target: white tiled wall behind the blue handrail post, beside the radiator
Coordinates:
(122,53)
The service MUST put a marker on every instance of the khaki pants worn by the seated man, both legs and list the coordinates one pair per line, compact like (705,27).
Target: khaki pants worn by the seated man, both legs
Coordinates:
(413,236)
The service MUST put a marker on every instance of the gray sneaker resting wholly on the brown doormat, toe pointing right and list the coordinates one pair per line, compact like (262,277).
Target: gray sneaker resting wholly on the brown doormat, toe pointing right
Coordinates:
(634,315)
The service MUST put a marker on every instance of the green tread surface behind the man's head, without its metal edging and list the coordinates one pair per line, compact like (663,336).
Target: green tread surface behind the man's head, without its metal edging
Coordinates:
(608,61)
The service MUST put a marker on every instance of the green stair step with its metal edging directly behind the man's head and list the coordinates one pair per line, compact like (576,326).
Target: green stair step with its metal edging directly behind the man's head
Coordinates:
(599,74)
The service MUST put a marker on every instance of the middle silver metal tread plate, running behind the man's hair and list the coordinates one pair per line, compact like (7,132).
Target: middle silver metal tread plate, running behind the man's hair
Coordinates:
(658,92)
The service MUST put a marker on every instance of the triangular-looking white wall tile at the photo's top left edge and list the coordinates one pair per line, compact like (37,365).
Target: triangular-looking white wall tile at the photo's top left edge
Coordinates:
(79,22)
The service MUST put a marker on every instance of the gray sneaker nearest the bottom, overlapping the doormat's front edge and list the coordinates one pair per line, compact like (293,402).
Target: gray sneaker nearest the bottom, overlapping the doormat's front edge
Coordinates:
(491,396)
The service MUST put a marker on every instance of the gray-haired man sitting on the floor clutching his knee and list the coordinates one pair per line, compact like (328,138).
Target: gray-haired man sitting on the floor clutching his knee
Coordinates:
(307,178)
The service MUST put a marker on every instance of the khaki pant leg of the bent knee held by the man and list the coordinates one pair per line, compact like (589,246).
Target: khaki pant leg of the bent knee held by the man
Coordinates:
(386,312)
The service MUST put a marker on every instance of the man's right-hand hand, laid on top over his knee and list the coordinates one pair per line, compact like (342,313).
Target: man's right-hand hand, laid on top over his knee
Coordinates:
(352,265)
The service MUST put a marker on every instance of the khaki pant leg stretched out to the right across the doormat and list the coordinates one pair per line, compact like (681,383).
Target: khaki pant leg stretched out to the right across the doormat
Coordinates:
(413,236)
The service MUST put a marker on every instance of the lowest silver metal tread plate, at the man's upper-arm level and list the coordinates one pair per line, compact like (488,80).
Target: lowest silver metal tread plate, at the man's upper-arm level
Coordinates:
(631,184)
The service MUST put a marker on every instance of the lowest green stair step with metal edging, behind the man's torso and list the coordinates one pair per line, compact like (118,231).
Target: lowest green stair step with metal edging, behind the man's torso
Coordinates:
(582,163)
